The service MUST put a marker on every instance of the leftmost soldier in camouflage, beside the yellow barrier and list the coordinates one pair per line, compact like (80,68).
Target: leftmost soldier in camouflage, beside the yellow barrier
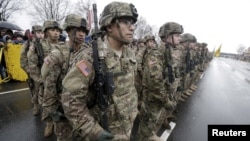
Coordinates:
(34,87)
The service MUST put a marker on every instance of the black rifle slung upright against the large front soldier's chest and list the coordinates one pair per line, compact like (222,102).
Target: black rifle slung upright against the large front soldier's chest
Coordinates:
(103,82)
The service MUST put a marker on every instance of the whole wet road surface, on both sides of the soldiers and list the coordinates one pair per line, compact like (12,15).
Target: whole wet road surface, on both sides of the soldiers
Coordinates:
(222,97)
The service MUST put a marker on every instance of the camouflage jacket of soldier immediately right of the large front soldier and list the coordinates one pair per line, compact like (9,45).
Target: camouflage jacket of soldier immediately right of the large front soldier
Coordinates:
(153,80)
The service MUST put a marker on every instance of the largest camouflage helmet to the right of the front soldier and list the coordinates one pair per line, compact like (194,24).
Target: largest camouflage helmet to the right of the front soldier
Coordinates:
(170,28)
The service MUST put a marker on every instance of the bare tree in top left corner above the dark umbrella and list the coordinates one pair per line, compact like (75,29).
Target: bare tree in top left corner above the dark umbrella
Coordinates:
(8,7)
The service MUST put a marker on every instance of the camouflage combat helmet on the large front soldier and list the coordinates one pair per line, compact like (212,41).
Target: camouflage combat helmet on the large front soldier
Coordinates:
(116,10)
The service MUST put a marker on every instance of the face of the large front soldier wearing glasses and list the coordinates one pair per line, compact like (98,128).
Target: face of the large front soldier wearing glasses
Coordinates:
(124,30)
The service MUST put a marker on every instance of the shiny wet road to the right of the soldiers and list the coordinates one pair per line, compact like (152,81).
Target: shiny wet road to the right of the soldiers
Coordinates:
(222,97)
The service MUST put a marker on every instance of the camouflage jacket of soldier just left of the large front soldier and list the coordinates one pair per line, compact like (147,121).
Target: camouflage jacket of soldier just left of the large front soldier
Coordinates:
(53,71)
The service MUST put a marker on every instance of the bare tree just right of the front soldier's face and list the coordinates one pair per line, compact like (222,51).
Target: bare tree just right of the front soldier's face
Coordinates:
(143,28)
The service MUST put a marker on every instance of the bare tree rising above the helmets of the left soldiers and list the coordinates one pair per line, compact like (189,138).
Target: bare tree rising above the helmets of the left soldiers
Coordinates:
(42,10)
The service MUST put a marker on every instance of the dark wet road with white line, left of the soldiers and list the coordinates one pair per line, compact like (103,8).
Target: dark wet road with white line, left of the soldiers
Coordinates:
(16,120)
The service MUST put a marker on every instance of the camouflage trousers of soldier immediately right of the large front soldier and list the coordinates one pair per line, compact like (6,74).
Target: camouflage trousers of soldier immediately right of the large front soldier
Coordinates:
(151,119)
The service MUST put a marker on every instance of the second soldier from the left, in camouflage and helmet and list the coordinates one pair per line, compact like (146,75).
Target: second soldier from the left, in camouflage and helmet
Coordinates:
(36,54)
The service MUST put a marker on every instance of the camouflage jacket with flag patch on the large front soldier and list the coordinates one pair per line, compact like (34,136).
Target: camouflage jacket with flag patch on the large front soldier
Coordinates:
(77,89)
